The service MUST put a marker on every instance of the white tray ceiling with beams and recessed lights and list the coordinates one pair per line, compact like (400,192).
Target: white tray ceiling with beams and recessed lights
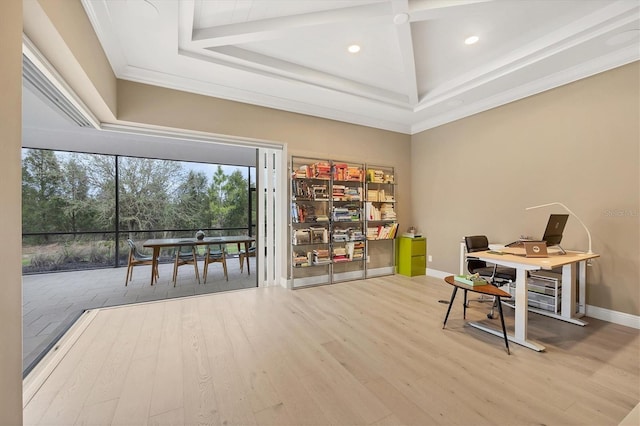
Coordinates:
(414,72)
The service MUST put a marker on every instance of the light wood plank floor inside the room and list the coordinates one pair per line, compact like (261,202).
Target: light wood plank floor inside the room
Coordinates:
(360,353)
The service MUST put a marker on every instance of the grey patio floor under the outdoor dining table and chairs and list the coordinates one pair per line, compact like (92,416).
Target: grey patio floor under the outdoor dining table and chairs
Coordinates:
(52,302)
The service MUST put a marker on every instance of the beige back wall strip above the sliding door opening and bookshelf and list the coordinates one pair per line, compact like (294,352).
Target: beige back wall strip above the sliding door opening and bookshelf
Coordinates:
(303,135)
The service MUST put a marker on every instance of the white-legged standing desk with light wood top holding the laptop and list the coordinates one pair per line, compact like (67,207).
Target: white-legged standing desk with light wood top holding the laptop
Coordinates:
(569,263)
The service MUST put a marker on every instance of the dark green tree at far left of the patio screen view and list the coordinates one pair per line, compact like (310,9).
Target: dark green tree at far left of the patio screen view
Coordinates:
(42,204)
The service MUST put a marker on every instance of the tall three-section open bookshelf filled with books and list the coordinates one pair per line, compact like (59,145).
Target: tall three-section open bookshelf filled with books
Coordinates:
(329,222)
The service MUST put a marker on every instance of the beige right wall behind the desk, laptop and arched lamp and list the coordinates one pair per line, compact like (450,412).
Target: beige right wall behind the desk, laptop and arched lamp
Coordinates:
(577,144)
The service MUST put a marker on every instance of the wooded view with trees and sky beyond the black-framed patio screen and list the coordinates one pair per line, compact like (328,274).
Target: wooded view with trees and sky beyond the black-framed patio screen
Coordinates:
(73,217)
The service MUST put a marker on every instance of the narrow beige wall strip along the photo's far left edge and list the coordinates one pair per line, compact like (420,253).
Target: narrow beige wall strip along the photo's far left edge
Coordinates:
(10,213)
